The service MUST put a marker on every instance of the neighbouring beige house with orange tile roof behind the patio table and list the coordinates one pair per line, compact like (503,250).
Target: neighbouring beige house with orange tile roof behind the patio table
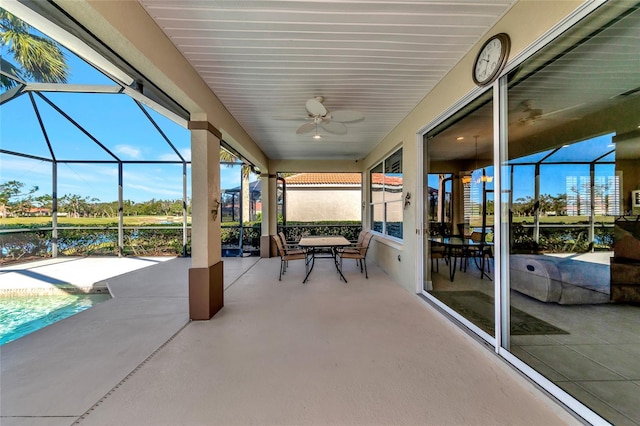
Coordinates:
(314,197)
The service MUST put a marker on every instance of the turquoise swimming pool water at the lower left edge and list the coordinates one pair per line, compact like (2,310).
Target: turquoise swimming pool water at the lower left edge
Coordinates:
(22,315)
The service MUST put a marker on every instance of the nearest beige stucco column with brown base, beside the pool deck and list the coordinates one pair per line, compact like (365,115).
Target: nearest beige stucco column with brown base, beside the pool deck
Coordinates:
(206,284)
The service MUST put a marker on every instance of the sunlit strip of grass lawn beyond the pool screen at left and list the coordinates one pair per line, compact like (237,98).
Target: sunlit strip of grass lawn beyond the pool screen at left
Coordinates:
(92,221)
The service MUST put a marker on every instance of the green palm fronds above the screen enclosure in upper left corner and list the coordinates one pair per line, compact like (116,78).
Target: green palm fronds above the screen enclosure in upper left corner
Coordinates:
(36,58)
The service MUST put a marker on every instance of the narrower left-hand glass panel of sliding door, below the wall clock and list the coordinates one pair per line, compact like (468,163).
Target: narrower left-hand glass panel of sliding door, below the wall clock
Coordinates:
(458,160)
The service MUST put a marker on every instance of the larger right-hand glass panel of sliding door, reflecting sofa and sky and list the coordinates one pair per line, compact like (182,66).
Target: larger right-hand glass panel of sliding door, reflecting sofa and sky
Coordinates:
(572,159)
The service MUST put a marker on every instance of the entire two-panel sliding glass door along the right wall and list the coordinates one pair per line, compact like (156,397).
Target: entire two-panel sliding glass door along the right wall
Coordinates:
(569,218)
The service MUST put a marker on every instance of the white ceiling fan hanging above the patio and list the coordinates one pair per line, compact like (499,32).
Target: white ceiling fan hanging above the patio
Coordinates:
(319,115)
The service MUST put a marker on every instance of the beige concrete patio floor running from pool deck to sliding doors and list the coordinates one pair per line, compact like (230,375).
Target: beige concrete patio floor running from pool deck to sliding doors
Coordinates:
(279,353)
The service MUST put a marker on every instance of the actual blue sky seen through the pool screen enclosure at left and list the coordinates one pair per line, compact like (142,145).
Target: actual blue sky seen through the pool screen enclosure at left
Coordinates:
(115,121)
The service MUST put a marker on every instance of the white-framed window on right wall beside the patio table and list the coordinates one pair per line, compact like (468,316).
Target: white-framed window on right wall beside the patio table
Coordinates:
(385,191)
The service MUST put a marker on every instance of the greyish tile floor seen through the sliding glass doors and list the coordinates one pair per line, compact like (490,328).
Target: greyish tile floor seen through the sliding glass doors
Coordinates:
(597,362)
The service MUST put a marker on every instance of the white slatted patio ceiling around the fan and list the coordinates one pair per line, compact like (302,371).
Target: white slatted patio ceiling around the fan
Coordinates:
(267,58)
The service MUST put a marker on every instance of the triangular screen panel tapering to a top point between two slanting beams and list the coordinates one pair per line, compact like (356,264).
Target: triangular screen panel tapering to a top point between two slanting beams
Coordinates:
(68,141)
